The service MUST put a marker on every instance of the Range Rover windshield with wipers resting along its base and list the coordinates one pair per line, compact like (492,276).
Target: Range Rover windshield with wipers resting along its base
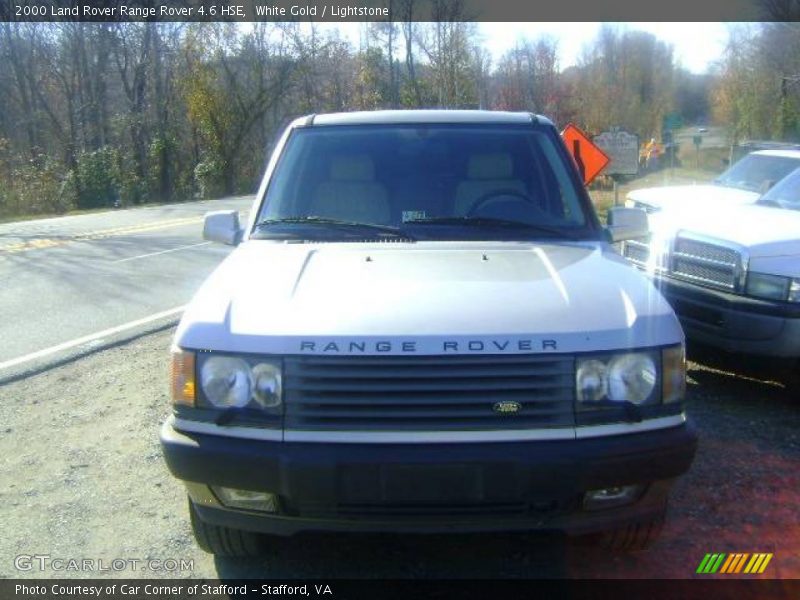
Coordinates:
(423,182)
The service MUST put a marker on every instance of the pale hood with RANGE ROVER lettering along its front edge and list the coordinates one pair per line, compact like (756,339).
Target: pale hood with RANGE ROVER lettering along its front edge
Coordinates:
(483,297)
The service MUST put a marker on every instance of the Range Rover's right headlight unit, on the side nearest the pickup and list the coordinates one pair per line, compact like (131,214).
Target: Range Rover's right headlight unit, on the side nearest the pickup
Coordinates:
(630,377)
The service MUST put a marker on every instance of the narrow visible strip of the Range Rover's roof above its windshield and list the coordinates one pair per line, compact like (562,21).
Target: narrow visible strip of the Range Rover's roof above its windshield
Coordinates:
(420,116)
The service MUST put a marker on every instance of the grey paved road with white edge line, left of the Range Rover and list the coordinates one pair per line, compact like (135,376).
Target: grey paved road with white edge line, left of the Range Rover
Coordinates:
(66,278)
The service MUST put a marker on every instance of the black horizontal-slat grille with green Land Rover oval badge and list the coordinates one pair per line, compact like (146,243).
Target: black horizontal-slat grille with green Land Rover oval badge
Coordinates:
(428,393)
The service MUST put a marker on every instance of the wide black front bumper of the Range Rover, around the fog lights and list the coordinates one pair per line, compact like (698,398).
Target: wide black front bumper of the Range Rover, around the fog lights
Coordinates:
(429,487)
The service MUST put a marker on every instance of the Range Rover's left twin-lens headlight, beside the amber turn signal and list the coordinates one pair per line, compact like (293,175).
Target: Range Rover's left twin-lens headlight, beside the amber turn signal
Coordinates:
(239,382)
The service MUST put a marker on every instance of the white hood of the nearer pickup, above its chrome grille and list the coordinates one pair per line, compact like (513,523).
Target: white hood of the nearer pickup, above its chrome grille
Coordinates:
(762,230)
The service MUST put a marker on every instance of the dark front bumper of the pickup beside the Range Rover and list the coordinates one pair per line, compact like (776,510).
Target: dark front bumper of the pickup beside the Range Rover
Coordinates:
(734,323)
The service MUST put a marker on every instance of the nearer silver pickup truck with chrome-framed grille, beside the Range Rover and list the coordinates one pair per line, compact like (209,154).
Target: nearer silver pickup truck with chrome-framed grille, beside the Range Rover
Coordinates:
(730,270)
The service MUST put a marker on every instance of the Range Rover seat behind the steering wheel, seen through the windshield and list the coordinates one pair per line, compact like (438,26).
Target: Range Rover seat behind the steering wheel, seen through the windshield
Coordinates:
(486,173)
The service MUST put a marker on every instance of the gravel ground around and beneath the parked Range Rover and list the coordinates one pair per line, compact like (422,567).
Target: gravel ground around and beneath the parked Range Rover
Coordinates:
(83,477)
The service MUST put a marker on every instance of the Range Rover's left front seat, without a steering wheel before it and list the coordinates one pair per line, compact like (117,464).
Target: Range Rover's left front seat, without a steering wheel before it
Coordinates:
(351,192)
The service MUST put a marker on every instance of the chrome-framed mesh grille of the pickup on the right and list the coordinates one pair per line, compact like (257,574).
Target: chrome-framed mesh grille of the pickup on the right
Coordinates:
(705,263)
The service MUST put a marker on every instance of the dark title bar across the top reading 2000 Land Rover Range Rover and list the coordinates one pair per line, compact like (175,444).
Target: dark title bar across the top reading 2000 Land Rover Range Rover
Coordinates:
(397,10)
